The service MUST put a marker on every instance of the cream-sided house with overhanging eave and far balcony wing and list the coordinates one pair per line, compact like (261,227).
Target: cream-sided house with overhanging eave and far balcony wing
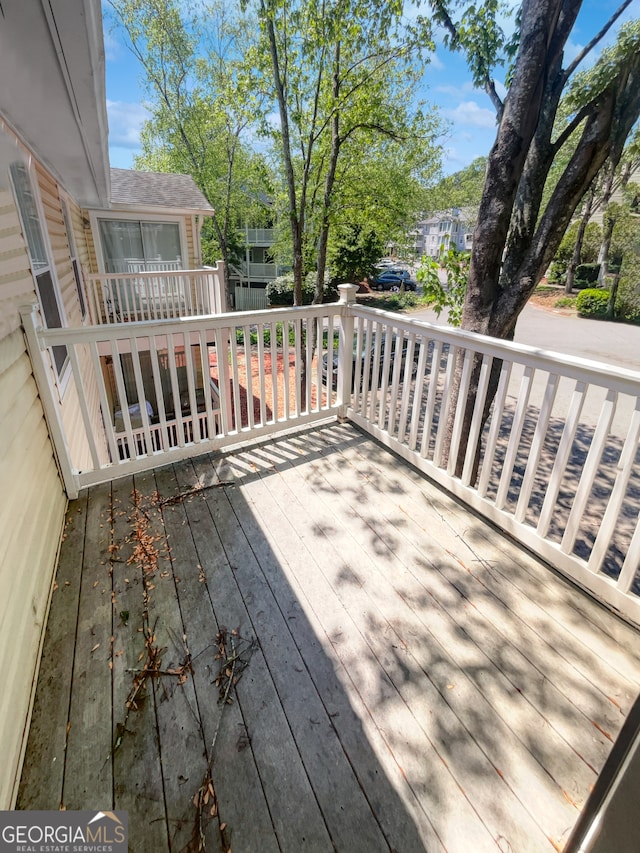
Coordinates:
(66,221)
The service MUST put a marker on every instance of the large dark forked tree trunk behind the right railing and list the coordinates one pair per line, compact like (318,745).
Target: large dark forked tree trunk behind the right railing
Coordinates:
(513,246)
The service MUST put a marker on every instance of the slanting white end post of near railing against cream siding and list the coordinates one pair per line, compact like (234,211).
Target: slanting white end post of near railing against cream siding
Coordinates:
(48,396)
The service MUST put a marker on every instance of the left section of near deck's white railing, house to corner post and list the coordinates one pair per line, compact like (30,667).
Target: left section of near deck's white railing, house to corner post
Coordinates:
(169,389)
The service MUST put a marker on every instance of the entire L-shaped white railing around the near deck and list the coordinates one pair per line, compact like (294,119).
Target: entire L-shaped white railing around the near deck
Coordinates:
(555,462)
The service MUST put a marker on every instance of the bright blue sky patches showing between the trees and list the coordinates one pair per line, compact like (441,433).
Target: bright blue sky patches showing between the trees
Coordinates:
(447,81)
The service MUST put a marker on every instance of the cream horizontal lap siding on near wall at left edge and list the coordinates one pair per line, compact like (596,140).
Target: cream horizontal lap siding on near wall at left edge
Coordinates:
(31,520)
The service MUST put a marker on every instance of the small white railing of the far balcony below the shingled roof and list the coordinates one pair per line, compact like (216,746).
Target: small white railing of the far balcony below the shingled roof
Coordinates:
(168,294)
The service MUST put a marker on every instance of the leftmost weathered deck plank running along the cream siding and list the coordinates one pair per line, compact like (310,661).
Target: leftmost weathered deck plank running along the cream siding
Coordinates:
(48,729)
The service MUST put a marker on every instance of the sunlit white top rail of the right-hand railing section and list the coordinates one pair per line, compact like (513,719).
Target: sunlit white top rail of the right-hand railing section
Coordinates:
(594,372)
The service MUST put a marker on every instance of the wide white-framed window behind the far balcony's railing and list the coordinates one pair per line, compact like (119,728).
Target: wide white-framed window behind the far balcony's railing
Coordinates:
(134,246)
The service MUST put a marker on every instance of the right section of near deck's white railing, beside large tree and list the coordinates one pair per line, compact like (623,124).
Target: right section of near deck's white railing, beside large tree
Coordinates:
(556,463)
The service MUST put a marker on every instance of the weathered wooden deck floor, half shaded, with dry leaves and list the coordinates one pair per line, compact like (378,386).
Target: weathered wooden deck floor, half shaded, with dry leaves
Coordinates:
(407,678)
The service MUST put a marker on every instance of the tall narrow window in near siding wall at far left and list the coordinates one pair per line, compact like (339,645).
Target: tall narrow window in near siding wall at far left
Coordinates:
(41,266)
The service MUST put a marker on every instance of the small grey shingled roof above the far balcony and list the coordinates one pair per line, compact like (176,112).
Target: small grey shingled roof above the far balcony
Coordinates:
(156,189)
